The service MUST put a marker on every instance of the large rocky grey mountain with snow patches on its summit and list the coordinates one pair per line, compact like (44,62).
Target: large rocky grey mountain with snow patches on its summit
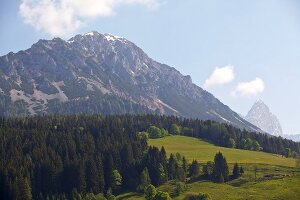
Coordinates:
(101,73)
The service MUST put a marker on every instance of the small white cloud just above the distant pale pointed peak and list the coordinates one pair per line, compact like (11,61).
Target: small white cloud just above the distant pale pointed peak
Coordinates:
(250,88)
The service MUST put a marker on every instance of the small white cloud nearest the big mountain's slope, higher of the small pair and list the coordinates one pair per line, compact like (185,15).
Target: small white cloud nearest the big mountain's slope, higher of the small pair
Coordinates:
(220,76)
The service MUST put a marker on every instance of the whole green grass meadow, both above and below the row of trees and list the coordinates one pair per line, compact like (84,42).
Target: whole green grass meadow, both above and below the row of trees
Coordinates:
(246,187)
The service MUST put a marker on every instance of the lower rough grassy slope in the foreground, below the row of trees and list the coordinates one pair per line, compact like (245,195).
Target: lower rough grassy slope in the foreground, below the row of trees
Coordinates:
(245,187)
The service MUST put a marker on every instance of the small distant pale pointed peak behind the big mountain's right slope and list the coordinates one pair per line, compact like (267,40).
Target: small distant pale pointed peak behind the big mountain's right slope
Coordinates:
(261,116)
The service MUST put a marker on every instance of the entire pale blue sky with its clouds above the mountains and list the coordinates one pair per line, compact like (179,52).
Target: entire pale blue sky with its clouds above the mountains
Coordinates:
(255,44)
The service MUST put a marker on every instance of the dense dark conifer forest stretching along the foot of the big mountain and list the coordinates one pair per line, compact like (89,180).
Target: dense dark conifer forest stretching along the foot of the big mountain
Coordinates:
(78,154)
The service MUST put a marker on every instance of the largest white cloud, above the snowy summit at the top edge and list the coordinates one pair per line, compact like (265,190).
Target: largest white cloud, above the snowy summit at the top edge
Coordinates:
(63,17)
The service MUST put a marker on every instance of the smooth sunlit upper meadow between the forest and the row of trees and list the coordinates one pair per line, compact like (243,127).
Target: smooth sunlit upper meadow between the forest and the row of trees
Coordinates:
(193,148)
